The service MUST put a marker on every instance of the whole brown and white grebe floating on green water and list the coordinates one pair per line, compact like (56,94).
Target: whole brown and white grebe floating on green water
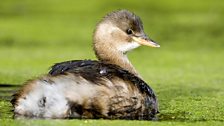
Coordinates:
(107,88)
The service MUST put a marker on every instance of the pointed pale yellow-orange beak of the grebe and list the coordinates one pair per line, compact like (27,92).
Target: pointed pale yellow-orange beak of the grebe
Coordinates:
(144,40)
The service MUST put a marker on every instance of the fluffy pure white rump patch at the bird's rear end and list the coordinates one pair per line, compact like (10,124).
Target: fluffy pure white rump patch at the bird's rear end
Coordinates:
(55,106)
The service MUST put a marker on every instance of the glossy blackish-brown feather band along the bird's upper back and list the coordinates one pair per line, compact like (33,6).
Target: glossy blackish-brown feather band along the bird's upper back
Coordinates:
(93,70)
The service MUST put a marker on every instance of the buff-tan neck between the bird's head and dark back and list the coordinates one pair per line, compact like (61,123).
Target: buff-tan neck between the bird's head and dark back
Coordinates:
(115,57)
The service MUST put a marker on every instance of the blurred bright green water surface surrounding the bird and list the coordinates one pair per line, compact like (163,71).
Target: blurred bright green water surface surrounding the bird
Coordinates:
(187,72)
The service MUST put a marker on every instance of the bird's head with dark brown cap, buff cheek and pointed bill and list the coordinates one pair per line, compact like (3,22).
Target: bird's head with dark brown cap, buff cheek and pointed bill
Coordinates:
(121,31)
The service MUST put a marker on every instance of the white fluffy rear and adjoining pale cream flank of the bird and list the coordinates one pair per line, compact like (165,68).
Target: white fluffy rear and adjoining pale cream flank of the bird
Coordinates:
(57,95)
